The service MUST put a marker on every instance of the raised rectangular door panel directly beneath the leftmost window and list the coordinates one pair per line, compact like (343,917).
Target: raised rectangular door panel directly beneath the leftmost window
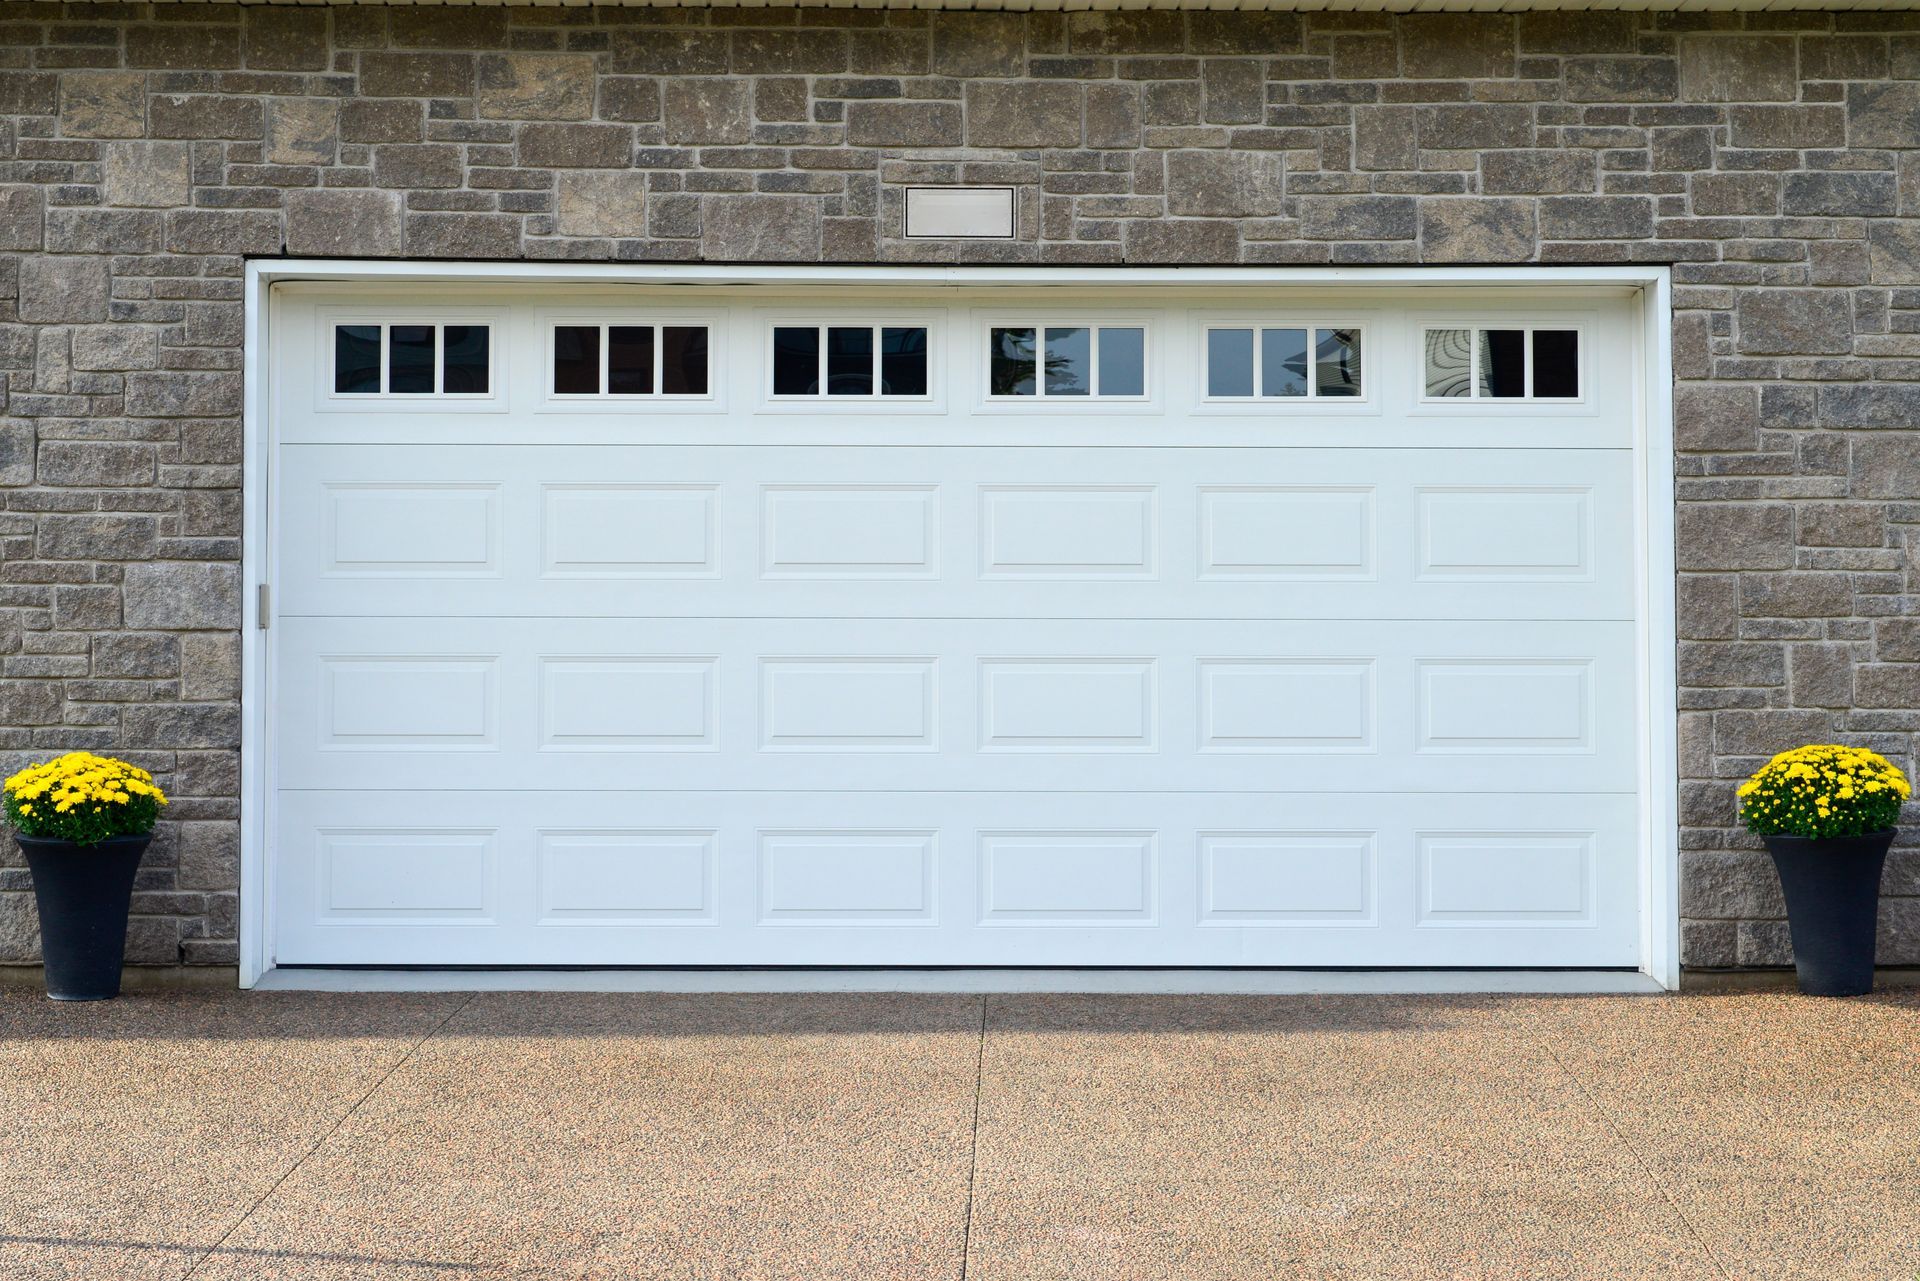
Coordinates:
(412,531)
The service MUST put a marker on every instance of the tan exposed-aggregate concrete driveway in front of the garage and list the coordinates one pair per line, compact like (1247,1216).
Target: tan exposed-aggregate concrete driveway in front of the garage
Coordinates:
(412,1138)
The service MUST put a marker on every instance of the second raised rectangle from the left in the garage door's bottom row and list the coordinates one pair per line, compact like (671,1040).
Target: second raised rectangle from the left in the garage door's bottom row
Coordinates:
(627,877)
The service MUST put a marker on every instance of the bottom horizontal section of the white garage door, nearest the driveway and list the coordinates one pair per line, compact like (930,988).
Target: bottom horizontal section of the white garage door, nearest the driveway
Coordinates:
(940,879)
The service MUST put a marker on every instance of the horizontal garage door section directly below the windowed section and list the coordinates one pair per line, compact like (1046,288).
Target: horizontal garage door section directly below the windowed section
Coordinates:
(882,533)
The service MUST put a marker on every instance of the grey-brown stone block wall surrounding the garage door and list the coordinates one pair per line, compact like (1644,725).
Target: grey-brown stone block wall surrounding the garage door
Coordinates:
(147,151)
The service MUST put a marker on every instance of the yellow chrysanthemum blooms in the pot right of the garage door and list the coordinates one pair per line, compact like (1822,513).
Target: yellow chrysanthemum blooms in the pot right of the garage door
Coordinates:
(1825,790)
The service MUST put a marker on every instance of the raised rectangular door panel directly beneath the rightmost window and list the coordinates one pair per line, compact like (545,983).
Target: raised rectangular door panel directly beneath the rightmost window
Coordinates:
(1510,533)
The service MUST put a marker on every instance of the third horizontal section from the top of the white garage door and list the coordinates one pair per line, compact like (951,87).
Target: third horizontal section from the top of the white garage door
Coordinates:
(1166,706)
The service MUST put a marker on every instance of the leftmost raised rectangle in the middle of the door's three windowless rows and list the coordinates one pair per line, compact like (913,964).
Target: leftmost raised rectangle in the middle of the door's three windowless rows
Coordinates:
(408,704)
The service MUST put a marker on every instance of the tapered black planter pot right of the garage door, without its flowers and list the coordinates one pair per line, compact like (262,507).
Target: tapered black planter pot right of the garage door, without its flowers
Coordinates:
(1833,892)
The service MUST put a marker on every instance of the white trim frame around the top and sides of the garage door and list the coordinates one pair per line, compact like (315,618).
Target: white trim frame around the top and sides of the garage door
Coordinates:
(1654,498)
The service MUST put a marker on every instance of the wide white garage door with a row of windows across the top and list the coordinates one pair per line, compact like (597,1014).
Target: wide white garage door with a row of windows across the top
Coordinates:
(955,627)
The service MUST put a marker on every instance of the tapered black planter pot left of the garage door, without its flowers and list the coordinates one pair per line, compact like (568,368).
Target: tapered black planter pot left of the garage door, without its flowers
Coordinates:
(84,894)
